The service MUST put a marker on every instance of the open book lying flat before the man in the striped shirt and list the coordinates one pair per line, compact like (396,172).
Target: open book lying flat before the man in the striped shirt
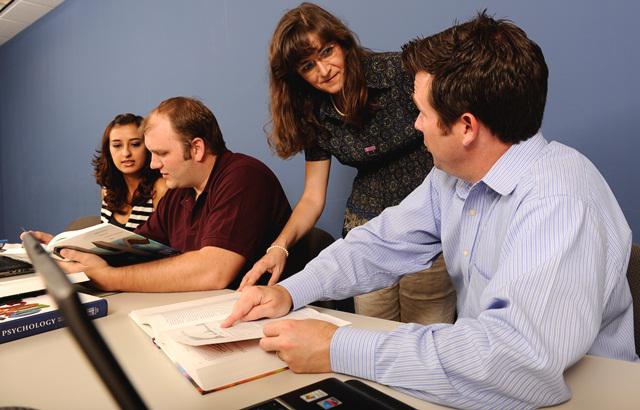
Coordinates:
(210,357)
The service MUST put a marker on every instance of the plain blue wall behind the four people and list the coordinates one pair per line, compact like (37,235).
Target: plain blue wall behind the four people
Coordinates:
(64,78)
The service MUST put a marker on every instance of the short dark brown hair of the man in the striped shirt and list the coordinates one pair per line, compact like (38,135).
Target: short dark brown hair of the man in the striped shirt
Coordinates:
(486,67)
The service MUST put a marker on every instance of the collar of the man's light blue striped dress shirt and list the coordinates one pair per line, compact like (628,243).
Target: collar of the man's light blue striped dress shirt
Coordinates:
(505,174)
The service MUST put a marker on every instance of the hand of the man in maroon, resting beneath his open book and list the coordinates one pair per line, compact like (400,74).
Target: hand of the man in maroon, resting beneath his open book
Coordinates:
(93,266)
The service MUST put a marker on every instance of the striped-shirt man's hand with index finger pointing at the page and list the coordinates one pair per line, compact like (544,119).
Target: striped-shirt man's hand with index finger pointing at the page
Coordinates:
(257,302)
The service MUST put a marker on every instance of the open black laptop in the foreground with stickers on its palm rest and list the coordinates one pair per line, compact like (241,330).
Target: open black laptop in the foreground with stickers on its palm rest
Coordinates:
(325,394)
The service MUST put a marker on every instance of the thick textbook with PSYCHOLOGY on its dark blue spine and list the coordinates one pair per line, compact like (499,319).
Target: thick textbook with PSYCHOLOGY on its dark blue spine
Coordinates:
(29,316)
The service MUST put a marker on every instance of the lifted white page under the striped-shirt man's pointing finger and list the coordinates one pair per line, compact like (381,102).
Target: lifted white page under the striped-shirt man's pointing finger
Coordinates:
(210,332)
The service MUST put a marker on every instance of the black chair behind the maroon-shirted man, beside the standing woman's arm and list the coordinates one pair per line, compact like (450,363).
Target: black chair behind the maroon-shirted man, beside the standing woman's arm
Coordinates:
(307,248)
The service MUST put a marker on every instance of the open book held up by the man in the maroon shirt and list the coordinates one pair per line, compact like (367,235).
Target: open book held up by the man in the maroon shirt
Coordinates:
(116,245)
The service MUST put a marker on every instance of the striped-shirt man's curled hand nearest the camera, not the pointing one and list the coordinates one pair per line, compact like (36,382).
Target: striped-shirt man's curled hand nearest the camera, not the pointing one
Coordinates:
(303,344)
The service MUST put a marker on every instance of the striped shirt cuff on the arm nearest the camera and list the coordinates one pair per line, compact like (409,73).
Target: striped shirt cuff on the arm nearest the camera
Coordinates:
(353,352)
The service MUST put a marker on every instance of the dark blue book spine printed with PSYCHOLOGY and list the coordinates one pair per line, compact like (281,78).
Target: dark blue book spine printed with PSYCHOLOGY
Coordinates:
(39,323)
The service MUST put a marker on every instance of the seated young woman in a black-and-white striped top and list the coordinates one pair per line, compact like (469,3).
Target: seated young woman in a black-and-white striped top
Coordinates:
(131,190)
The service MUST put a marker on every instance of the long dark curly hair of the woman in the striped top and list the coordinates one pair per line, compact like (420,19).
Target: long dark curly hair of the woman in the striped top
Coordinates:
(109,177)
